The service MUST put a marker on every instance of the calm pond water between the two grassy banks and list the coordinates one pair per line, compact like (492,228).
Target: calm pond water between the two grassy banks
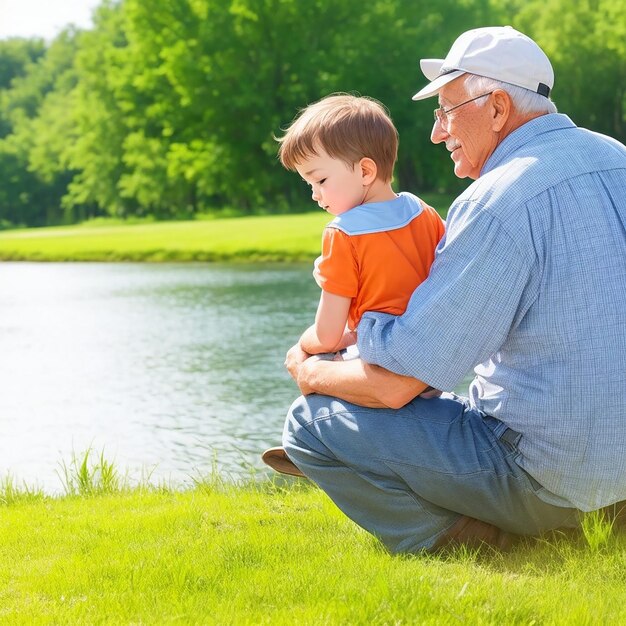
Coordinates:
(170,370)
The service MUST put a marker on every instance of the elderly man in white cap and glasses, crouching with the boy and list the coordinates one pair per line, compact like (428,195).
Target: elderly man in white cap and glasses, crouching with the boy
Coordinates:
(528,289)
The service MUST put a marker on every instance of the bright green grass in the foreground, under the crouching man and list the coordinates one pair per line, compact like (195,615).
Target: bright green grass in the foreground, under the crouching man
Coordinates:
(273,553)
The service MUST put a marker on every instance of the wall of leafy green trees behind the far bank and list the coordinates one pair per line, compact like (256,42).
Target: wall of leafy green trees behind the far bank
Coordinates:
(169,108)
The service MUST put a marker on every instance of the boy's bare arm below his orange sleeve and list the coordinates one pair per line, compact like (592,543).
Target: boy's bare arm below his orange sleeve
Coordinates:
(330,324)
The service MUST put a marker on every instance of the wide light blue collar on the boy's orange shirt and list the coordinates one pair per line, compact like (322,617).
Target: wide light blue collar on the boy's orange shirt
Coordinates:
(377,217)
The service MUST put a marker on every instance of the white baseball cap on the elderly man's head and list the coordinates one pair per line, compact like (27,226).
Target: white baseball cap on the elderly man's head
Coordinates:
(498,52)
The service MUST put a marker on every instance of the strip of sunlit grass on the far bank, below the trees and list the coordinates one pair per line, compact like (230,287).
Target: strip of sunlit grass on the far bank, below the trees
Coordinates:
(257,238)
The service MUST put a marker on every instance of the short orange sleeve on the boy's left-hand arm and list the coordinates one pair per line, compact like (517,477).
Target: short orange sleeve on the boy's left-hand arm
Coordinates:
(336,270)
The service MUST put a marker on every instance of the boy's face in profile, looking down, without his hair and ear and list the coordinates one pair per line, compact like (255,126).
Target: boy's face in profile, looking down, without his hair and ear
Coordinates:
(335,186)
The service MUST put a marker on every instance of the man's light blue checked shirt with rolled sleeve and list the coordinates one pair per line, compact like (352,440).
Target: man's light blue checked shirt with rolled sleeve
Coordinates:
(528,288)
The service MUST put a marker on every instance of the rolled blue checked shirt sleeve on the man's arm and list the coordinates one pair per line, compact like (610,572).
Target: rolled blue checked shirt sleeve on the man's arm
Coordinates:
(461,315)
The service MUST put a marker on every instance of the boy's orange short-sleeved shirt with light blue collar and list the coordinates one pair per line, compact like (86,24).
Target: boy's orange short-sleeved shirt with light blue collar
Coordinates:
(379,268)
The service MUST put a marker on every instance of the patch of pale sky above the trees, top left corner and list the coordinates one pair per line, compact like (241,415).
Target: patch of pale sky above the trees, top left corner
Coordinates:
(43,18)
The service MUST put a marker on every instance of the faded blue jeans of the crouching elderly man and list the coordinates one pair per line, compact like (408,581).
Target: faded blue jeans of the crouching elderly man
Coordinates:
(408,475)
